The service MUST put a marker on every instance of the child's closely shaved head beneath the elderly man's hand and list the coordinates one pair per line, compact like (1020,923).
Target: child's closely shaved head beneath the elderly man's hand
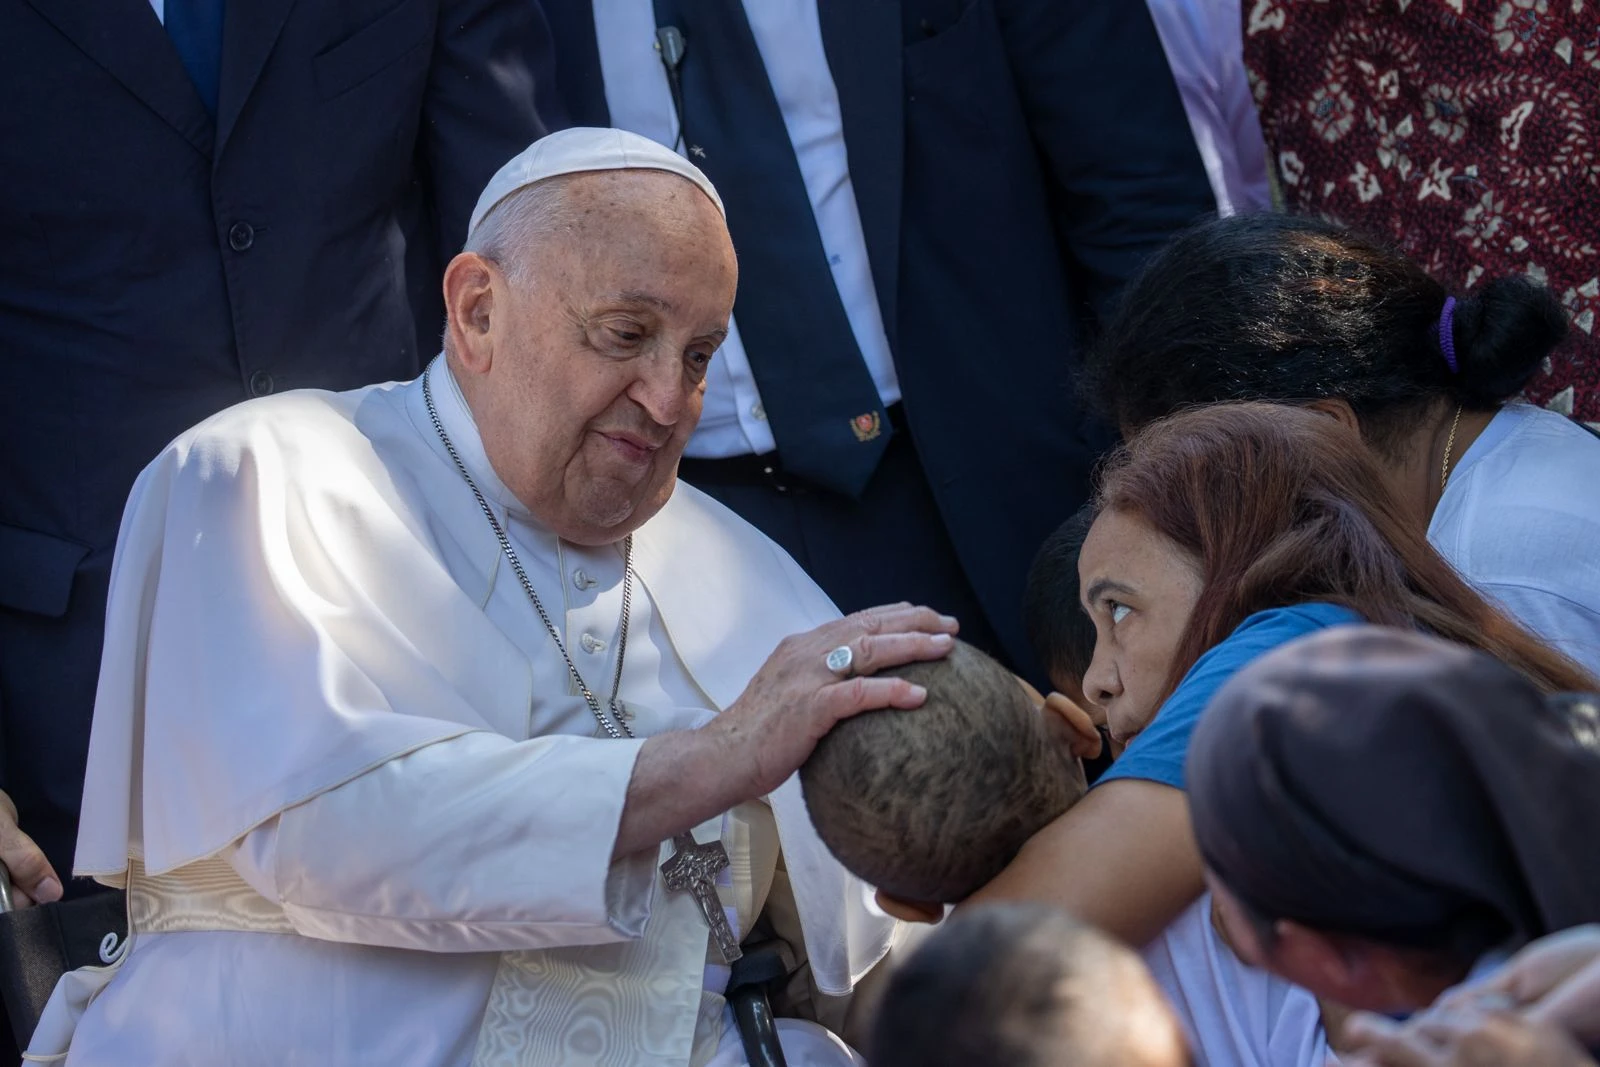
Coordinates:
(930,805)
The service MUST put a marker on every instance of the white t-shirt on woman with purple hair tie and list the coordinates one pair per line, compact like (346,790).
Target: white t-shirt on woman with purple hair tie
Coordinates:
(1521,521)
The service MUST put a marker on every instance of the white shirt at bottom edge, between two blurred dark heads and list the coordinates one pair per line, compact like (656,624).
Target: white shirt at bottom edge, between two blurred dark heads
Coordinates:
(1234,1015)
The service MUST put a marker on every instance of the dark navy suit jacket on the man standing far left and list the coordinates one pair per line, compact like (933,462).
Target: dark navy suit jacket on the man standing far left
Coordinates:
(158,266)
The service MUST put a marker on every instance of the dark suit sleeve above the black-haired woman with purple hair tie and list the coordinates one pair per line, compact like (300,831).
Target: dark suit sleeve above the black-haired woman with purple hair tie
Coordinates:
(1122,188)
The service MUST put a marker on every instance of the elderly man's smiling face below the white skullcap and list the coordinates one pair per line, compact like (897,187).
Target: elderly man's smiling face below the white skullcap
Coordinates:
(599,353)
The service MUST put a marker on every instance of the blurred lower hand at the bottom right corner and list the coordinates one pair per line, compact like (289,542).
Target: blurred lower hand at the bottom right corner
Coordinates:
(1465,1037)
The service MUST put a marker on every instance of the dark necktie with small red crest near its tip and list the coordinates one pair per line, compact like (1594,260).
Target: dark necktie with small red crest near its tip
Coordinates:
(820,399)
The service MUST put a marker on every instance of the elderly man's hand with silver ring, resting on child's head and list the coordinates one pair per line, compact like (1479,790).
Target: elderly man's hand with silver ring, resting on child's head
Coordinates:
(794,698)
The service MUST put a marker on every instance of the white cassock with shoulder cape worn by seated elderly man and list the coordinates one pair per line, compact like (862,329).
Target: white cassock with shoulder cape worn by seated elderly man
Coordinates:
(361,810)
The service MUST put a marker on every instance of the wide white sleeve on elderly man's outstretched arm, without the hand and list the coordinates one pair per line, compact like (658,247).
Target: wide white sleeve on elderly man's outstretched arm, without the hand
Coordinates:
(476,844)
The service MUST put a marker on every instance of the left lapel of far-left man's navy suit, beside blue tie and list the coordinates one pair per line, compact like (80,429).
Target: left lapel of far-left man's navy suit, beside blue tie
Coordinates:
(129,42)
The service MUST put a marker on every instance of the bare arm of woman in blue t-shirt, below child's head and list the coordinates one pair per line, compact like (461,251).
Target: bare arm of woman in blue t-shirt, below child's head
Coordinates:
(1124,860)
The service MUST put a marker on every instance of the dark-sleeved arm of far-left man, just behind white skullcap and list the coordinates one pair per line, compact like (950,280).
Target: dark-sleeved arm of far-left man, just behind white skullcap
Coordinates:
(490,95)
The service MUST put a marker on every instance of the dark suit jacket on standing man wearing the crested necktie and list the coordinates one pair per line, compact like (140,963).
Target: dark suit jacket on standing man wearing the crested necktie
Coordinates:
(1014,162)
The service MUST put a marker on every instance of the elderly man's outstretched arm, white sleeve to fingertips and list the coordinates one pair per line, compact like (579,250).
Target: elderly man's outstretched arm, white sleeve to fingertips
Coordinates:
(481,844)
